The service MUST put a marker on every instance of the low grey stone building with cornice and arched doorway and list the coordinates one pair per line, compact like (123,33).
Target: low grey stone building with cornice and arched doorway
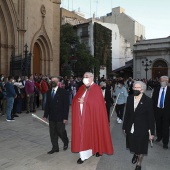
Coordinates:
(151,58)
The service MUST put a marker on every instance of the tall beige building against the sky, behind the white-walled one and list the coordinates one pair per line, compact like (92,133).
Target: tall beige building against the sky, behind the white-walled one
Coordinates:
(130,29)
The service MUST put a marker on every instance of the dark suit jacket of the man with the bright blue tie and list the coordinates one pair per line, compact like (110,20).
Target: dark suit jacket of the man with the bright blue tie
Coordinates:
(155,97)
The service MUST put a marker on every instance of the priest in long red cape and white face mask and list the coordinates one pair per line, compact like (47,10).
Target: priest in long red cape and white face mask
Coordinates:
(90,126)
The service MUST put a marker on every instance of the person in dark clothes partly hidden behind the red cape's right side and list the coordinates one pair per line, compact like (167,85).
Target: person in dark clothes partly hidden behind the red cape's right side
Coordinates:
(107,97)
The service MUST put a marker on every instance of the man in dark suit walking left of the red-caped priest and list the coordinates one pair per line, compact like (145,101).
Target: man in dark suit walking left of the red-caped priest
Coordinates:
(57,109)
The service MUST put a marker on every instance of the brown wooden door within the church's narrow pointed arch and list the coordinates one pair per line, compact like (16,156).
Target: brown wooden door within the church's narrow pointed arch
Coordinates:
(36,59)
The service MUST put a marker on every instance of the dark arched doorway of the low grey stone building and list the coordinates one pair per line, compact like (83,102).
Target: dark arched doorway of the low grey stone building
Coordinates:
(159,68)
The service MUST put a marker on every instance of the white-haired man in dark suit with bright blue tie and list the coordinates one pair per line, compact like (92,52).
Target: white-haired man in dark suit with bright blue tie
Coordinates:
(161,103)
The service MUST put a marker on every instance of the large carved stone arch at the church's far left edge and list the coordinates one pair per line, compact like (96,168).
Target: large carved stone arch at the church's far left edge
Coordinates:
(8,31)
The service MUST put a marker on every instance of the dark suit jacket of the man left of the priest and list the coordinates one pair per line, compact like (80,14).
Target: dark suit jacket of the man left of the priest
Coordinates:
(57,108)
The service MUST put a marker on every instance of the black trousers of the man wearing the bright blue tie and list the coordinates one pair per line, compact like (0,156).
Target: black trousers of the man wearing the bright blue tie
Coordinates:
(162,125)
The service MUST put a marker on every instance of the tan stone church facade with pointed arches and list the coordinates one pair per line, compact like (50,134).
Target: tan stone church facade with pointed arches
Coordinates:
(35,23)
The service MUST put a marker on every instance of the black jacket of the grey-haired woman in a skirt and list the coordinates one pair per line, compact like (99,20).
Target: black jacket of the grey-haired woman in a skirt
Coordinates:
(142,117)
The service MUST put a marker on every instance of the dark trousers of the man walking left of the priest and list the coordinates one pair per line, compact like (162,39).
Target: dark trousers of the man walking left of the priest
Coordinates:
(57,129)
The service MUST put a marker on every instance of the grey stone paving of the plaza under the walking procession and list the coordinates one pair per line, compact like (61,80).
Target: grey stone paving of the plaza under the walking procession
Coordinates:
(24,145)
